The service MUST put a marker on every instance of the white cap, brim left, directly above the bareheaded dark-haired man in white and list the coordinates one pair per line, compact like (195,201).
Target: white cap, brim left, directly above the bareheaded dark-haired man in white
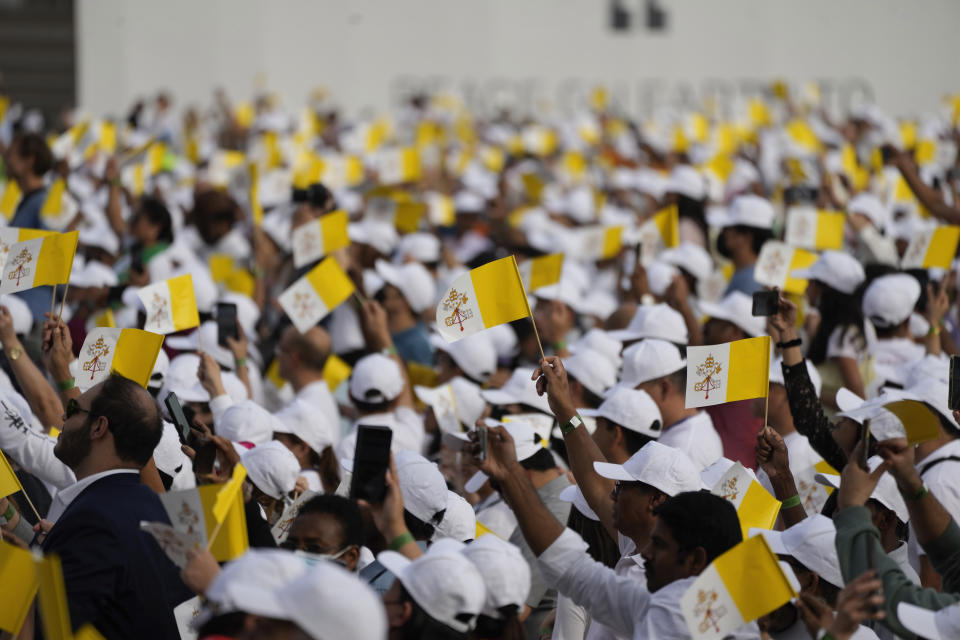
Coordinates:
(655,464)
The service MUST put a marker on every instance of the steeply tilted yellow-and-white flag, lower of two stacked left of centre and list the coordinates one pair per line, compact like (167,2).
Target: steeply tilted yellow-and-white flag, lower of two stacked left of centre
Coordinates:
(316,294)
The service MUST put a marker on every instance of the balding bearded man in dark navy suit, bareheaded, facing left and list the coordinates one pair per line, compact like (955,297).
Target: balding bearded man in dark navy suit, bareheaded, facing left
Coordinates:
(116,576)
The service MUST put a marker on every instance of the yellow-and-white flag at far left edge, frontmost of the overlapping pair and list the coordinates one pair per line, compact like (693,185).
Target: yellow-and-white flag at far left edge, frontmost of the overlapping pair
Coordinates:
(46,260)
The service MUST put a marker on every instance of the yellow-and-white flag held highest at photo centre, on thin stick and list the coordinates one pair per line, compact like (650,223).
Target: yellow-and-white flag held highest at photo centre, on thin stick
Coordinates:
(482,298)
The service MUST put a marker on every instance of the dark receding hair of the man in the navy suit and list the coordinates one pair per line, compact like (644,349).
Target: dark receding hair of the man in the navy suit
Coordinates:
(132,418)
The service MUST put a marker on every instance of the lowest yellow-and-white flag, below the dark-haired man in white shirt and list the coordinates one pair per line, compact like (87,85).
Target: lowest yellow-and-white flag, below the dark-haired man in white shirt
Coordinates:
(741,585)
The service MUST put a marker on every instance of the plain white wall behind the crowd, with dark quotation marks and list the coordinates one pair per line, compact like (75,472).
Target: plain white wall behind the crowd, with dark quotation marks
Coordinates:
(903,53)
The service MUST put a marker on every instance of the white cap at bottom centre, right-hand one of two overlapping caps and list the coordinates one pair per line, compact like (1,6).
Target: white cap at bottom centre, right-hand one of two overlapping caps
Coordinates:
(505,573)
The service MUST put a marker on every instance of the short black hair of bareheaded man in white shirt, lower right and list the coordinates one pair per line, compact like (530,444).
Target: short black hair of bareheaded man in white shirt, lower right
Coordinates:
(701,519)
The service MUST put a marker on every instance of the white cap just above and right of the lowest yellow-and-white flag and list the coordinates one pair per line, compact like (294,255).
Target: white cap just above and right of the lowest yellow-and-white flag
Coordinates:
(811,542)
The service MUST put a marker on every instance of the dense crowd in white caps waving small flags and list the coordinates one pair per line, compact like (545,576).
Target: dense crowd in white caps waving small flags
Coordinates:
(586,510)
